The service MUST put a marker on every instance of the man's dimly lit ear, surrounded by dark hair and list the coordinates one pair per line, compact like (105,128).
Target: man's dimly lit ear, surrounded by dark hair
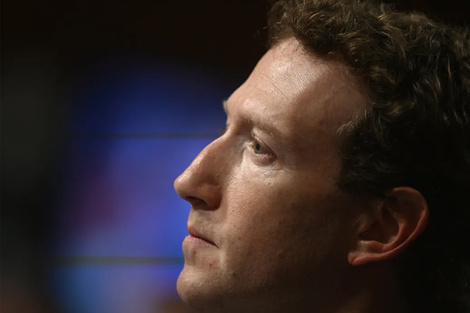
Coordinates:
(389,226)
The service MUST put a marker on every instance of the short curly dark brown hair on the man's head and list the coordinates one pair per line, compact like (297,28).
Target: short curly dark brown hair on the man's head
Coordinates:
(414,132)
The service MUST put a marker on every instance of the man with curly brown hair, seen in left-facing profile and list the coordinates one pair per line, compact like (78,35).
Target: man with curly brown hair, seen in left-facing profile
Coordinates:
(341,183)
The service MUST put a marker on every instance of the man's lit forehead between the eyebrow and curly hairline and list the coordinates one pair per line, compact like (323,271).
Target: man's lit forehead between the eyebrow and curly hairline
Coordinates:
(298,93)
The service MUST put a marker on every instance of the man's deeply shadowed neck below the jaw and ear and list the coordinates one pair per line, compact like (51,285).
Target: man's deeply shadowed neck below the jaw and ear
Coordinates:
(369,288)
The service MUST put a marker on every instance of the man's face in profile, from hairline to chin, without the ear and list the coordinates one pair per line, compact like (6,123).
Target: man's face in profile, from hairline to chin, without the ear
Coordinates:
(268,224)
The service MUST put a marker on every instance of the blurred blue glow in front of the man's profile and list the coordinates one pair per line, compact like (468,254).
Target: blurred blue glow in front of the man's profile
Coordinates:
(136,124)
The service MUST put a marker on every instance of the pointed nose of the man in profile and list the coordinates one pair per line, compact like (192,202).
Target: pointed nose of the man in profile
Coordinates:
(201,183)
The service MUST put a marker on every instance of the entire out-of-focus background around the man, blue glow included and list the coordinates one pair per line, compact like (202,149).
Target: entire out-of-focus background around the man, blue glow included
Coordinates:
(103,104)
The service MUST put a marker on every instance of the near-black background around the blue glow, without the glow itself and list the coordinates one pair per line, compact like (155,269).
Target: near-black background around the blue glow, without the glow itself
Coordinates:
(45,42)
